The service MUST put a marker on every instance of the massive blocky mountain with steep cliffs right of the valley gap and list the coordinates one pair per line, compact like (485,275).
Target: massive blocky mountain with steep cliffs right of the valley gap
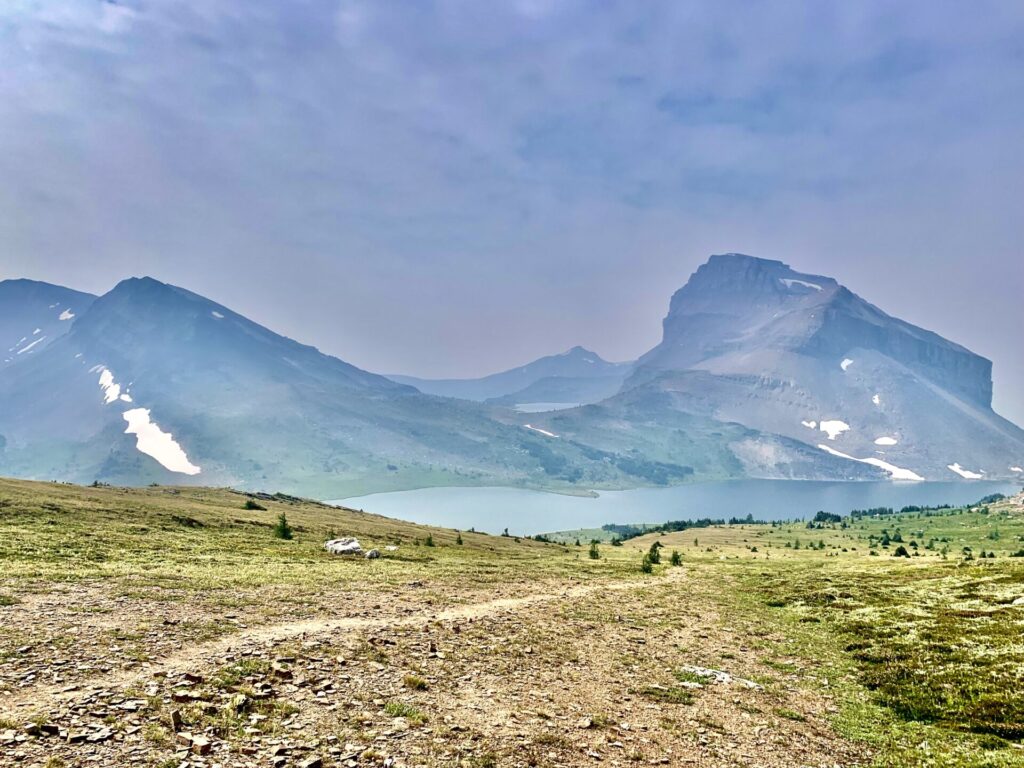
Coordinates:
(801,358)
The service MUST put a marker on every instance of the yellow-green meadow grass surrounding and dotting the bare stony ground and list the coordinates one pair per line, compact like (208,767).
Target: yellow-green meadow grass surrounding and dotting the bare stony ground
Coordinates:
(923,657)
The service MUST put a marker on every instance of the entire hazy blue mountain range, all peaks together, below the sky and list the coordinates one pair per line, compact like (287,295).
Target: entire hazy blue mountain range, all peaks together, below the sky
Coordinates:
(762,372)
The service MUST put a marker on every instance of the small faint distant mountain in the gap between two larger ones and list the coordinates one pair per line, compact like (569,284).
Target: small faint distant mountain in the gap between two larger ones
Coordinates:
(577,376)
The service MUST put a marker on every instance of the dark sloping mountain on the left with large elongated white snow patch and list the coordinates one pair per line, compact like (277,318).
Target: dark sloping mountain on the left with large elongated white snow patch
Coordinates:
(155,383)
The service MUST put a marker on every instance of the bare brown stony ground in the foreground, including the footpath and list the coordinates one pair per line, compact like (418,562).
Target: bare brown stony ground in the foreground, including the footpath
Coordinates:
(580,676)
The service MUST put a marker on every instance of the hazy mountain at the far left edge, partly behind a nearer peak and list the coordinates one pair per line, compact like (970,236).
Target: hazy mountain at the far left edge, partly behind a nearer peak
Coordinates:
(34,315)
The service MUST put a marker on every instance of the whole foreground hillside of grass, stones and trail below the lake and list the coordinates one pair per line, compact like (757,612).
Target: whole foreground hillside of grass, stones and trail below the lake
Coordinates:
(151,627)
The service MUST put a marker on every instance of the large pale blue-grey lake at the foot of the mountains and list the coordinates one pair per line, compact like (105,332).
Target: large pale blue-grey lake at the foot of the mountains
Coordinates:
(529,513)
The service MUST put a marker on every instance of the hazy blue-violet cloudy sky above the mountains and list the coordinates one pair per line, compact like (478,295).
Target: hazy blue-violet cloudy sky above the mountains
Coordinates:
(454,188)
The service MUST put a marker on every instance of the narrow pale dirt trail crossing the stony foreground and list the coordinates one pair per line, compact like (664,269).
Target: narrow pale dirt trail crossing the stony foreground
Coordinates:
(17,704)
